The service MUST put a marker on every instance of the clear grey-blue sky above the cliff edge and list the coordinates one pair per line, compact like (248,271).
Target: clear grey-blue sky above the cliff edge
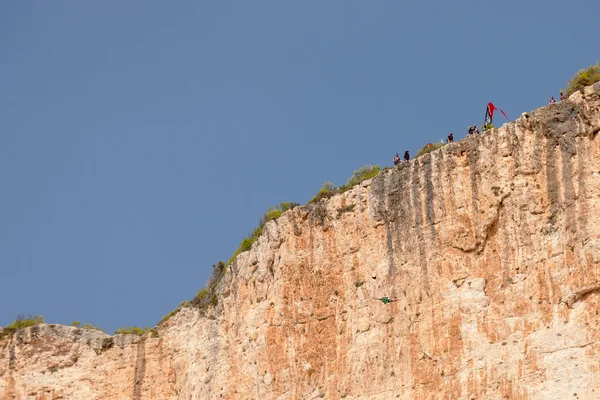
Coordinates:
(142,140)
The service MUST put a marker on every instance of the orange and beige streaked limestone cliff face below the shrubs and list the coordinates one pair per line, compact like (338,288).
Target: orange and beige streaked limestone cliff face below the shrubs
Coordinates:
(490,247)
